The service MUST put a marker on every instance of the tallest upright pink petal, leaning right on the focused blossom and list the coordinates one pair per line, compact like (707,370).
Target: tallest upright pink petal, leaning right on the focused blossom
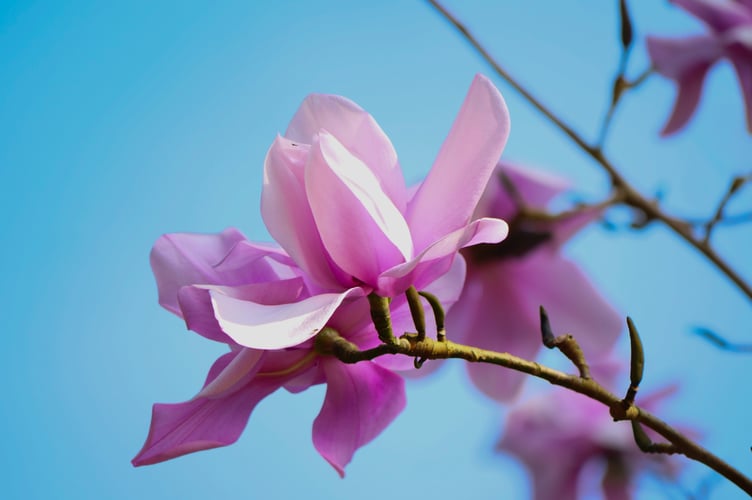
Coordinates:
(447,198)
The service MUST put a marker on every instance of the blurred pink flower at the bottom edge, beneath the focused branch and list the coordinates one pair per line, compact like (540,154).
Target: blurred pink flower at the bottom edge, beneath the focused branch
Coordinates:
(566,440)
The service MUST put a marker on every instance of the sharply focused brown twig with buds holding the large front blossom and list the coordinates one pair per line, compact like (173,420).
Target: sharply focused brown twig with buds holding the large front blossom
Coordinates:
(329,342)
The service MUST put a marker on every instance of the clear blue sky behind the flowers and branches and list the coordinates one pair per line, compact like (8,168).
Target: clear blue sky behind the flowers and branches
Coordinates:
(120,121)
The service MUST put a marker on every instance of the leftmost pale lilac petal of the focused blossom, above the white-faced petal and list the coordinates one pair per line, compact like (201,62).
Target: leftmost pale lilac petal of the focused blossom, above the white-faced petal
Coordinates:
(186,258)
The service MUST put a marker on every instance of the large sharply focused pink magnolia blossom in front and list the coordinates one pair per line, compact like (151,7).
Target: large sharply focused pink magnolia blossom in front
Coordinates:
(334,199)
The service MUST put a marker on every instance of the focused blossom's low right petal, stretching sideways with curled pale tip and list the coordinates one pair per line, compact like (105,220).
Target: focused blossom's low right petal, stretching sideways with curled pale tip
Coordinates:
(436,259)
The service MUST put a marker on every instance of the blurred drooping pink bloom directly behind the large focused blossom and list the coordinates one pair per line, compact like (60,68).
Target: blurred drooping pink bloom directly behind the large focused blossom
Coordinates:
(507,282)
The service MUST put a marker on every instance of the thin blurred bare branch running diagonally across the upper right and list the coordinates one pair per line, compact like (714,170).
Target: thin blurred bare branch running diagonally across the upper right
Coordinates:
(631,196)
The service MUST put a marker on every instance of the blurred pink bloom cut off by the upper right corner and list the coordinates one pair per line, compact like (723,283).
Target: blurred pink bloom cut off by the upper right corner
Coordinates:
(687,60)
